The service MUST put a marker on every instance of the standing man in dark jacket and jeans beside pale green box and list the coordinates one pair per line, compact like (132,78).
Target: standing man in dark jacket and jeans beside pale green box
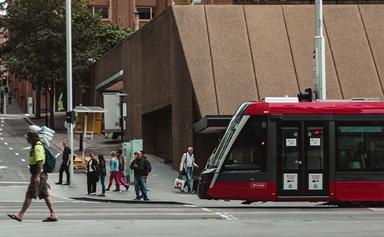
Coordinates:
(139,170)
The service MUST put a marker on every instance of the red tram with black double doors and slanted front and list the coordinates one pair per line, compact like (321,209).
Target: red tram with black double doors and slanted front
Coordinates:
(300,151)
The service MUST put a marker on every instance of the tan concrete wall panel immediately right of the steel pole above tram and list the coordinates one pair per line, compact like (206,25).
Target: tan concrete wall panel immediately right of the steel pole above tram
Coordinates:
(353,60)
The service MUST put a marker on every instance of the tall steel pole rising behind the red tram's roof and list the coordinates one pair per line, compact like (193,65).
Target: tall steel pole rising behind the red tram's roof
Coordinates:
(320,52)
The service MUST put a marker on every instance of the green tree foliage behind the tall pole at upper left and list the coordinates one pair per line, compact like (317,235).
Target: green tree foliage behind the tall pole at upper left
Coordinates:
(36,50)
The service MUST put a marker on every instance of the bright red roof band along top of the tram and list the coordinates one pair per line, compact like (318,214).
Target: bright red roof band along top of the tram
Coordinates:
(320,108)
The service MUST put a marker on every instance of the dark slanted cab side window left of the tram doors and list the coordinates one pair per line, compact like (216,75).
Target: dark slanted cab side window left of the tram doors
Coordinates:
(249,151)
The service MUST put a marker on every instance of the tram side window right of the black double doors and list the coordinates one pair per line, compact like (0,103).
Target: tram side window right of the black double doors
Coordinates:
(360,146)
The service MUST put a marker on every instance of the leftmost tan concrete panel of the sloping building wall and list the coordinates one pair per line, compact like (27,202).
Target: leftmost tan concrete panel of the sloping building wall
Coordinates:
(192,30)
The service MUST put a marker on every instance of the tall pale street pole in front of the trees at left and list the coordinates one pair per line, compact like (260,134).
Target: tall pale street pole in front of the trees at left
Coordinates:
(68,20)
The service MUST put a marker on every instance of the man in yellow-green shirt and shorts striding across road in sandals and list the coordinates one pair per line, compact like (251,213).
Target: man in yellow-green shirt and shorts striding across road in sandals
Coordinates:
(38,186)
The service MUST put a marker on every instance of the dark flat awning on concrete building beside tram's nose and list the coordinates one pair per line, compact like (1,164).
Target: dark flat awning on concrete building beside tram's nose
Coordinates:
(212,124)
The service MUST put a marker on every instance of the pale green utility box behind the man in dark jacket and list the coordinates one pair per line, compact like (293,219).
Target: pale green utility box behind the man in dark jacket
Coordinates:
(129,148)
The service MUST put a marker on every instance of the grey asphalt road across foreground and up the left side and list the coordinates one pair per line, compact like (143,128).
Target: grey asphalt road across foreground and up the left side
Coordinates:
(120,219)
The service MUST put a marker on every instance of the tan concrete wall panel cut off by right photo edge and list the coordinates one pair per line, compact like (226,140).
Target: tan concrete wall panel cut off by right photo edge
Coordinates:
(373,19)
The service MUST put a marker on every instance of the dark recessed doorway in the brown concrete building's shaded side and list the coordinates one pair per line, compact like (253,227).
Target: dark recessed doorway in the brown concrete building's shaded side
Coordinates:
(157,133)
